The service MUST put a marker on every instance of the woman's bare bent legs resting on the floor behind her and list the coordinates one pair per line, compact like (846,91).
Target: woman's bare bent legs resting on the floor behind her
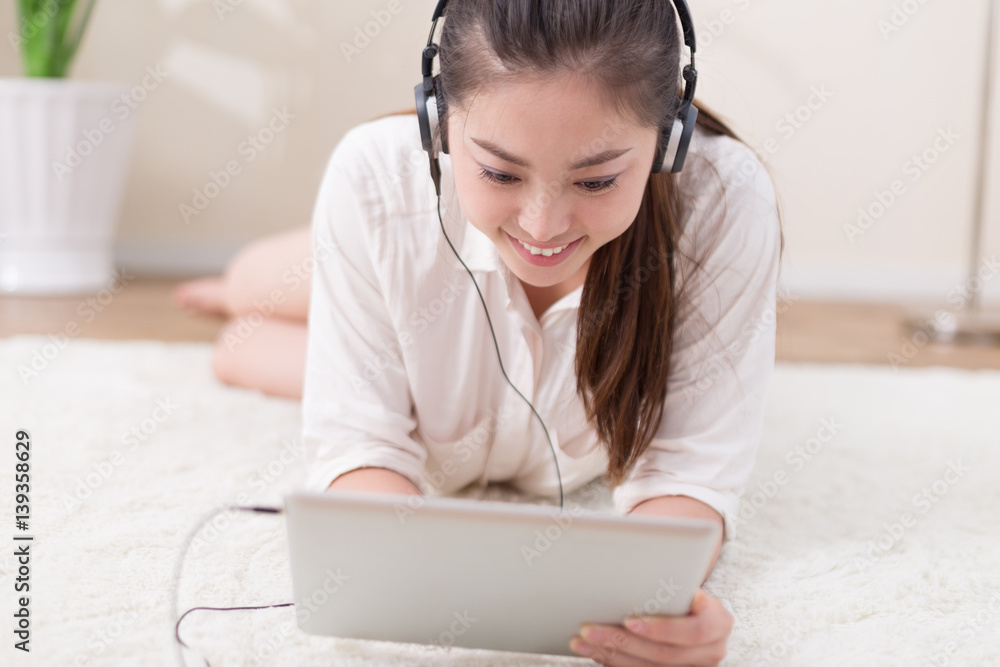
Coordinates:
(265,293)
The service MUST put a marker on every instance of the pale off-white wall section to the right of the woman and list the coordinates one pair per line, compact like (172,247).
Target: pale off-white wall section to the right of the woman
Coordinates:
(892,92)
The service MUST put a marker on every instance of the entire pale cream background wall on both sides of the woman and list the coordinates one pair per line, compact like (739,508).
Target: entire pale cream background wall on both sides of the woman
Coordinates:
(758,61)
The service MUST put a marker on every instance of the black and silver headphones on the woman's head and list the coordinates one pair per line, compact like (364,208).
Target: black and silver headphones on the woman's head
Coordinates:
(674,139)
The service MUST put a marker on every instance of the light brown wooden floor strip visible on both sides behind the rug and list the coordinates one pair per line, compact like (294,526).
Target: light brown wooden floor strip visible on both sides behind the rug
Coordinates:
(807,331)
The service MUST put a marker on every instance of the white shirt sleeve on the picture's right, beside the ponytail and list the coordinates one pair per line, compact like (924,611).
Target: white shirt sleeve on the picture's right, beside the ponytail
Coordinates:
(723,355)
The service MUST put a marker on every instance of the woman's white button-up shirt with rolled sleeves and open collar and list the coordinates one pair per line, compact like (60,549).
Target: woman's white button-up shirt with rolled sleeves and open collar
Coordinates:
(401,369)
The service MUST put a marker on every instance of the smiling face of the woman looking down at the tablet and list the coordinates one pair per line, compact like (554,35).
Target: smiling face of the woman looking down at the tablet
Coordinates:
(544,162)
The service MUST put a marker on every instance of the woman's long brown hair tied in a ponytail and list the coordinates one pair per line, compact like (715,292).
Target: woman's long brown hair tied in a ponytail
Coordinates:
(628,311)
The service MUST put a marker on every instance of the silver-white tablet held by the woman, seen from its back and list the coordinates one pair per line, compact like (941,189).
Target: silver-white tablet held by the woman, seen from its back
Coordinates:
(483,574)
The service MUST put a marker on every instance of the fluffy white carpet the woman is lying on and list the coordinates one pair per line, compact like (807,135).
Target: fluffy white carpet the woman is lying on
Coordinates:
(802,578)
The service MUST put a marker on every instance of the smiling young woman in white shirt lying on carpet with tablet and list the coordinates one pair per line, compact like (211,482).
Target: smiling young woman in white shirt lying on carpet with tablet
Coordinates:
(634,310)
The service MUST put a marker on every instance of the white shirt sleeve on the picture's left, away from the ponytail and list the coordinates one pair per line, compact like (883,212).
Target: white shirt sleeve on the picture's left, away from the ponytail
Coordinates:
(357,410)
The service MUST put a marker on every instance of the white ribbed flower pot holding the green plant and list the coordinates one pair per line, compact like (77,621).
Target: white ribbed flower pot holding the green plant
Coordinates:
(64,156)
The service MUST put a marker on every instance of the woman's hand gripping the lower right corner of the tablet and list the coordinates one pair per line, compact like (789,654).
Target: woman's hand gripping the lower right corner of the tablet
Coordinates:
(696,639)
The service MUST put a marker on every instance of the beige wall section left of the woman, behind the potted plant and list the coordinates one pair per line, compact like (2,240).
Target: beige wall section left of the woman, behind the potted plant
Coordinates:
(227,71)
